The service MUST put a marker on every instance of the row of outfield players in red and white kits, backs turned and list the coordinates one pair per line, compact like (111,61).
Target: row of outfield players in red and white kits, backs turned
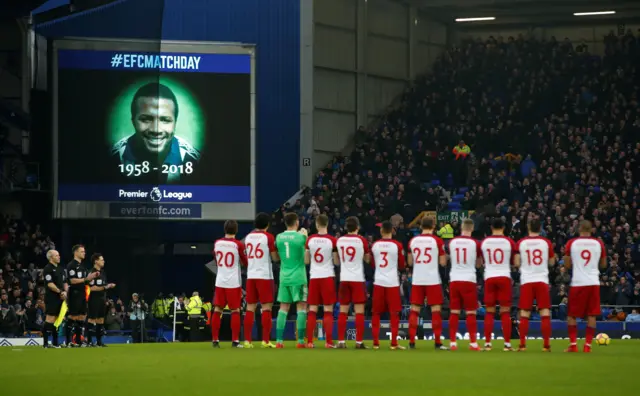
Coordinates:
(497,253)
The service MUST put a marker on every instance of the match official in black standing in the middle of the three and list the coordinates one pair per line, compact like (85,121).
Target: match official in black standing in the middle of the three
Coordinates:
(77,277)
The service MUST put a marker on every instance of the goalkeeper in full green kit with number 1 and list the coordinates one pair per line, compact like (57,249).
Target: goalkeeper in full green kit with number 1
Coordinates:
(293,278)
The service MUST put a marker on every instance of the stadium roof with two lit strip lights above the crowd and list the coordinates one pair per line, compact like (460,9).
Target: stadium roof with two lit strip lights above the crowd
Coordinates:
(538,12)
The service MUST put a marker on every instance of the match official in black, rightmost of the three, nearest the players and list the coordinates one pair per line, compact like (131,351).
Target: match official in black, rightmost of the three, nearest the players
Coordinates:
(97,300)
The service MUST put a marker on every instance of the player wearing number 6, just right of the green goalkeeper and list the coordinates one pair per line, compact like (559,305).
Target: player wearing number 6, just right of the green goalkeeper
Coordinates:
(322,254)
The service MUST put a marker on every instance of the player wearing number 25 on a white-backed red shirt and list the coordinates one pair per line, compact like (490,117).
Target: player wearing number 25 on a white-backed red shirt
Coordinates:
(426,252)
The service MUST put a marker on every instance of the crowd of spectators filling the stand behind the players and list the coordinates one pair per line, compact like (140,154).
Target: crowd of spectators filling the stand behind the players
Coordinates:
(553,131)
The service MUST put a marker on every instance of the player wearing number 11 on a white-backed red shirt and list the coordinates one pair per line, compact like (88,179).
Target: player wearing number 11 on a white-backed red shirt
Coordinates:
(465,255)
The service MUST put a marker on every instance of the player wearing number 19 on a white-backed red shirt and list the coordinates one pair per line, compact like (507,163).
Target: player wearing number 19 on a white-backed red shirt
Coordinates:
(353,251)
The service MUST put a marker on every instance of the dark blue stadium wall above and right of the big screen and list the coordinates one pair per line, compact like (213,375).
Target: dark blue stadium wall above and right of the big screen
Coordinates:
(272,25)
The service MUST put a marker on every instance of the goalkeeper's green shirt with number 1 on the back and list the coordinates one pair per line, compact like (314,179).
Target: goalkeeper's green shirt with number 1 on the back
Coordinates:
(291,246)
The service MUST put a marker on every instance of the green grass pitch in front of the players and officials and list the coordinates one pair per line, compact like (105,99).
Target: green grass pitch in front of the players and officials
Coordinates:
(198,369)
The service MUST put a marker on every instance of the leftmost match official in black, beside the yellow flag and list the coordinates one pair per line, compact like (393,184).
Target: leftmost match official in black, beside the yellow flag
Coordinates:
(53,297)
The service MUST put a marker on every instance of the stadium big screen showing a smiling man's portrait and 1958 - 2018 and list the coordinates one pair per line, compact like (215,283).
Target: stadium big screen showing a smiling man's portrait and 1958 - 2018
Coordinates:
(153,130)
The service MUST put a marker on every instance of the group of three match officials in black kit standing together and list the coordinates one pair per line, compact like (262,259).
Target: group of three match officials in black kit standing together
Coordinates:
(84,291)
